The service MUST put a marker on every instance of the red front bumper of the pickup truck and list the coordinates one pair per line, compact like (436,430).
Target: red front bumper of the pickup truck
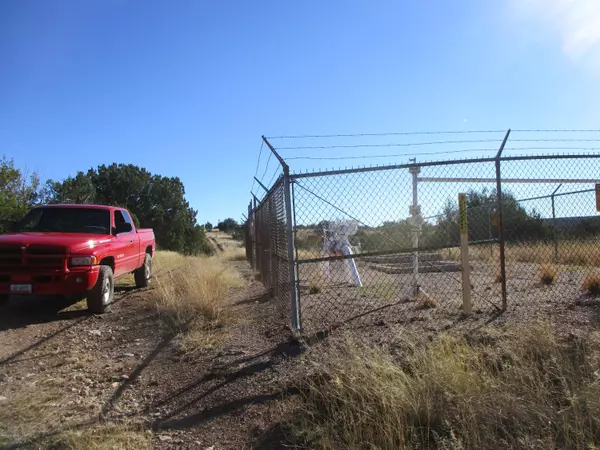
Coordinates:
(76,280)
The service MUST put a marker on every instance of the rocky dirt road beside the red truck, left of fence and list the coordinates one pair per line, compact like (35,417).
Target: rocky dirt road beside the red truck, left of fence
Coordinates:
(64,369)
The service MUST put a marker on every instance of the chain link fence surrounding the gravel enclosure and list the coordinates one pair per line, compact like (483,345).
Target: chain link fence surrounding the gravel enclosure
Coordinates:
(383,244)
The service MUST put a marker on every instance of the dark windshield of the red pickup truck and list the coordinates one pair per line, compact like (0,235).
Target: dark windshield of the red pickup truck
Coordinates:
(67,220)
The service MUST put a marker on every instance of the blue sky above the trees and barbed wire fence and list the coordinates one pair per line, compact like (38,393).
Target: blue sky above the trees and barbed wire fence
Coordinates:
(186,88)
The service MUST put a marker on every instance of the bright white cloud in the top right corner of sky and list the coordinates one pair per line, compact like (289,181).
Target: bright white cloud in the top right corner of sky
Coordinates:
(575,22)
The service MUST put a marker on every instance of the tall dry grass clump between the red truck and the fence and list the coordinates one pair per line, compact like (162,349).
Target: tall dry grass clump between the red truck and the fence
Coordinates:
(191,297)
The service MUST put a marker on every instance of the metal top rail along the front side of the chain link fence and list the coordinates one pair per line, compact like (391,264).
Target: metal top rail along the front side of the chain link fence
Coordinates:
(442,163)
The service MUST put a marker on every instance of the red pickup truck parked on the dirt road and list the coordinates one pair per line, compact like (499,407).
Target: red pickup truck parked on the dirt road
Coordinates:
(74,249)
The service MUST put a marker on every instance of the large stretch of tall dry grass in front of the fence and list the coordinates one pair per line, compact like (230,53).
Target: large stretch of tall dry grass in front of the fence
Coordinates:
(525,390)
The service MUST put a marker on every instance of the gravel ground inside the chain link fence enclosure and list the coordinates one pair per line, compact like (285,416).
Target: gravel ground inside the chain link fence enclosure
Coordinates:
(385,300)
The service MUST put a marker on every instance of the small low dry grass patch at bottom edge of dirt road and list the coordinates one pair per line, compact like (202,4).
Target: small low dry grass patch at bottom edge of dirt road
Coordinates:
(106,437)
